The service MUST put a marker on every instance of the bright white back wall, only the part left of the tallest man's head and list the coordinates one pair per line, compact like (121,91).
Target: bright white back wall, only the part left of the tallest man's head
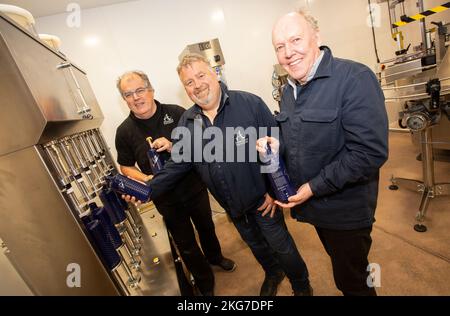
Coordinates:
(149,35)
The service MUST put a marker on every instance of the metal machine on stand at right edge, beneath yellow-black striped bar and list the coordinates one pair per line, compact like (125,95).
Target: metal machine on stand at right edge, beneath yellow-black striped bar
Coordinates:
(417,90)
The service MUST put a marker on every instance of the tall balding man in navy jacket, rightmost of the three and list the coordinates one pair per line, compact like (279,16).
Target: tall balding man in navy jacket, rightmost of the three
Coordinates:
(334,136)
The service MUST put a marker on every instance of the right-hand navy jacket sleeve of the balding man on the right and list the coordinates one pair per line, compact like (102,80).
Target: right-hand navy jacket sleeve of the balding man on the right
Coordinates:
(365,126)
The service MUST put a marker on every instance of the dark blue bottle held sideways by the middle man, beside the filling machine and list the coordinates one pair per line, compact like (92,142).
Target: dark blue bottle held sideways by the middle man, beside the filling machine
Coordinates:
(127,186)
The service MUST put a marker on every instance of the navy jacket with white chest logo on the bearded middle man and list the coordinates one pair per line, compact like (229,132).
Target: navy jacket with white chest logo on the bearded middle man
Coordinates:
(239,187)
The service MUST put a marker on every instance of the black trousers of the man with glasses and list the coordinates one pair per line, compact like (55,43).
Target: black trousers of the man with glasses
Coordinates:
(179,220)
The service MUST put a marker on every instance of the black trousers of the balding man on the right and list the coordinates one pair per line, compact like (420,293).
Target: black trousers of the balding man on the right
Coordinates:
(348,250)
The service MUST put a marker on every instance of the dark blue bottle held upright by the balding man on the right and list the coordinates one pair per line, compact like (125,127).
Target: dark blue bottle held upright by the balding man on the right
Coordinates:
(278,177)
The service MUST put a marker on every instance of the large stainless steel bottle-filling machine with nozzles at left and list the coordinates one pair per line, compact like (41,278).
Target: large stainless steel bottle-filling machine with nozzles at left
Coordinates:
(59,226)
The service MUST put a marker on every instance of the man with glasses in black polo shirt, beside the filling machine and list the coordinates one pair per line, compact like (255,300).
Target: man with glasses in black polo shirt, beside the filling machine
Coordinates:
(189,200)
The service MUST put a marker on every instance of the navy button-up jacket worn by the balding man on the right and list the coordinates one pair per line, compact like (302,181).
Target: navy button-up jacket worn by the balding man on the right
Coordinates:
(335,136)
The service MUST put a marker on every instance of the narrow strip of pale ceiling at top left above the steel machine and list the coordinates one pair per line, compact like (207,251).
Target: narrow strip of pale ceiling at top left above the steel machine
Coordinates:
(51,7)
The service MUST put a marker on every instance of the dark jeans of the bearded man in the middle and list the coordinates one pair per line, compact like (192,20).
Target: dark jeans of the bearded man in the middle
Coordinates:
(273,246)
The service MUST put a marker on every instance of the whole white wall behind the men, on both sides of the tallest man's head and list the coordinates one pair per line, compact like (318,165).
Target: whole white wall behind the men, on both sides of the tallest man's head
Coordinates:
(149,35)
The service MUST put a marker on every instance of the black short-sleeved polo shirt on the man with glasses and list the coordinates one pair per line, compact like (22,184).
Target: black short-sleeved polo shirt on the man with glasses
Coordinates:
(132,147)
